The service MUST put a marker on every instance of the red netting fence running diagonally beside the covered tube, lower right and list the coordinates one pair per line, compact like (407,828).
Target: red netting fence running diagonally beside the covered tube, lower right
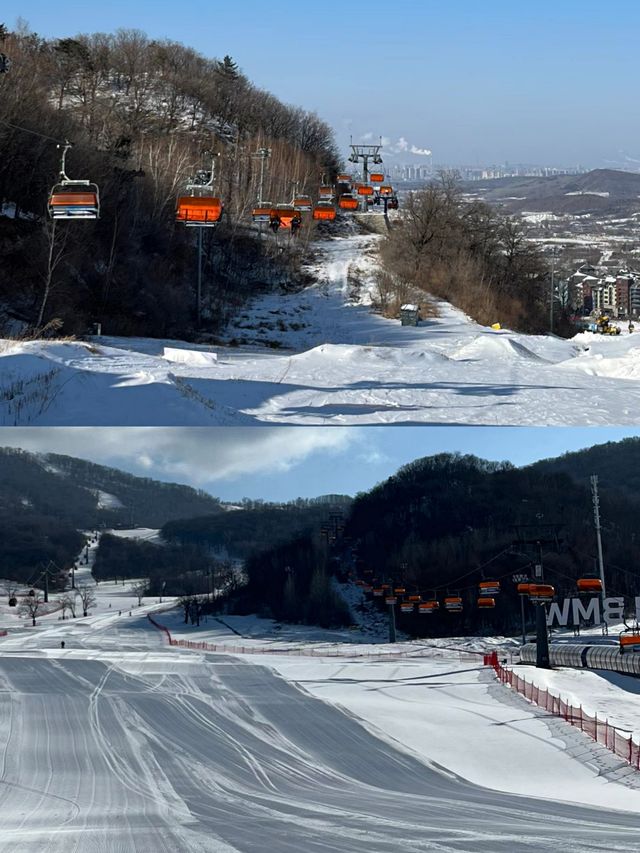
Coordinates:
(618,741)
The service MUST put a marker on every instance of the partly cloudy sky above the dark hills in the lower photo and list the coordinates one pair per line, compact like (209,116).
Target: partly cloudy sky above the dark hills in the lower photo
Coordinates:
(282,463)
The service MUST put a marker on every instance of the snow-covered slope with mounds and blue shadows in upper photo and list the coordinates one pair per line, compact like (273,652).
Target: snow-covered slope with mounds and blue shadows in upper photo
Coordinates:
(321,356)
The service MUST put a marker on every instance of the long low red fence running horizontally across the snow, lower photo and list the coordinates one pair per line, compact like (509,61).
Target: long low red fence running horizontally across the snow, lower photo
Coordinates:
(337,650)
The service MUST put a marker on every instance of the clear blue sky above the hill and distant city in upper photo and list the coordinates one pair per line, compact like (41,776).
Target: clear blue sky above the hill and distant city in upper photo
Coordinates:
(550,82)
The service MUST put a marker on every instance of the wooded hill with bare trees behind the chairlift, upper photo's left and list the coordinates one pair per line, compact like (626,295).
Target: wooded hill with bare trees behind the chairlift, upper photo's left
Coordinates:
(143,116)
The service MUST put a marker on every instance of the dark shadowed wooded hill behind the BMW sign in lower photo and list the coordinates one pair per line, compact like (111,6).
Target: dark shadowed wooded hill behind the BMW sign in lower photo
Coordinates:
(443,524)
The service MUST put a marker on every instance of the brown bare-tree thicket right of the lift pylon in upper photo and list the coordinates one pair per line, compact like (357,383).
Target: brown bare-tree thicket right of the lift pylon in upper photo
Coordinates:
(468,253)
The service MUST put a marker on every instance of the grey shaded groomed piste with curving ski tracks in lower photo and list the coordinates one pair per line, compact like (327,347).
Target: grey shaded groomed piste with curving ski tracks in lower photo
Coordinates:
(119,743)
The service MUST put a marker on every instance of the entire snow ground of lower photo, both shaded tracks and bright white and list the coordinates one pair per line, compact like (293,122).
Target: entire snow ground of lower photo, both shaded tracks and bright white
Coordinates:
(119,742)
